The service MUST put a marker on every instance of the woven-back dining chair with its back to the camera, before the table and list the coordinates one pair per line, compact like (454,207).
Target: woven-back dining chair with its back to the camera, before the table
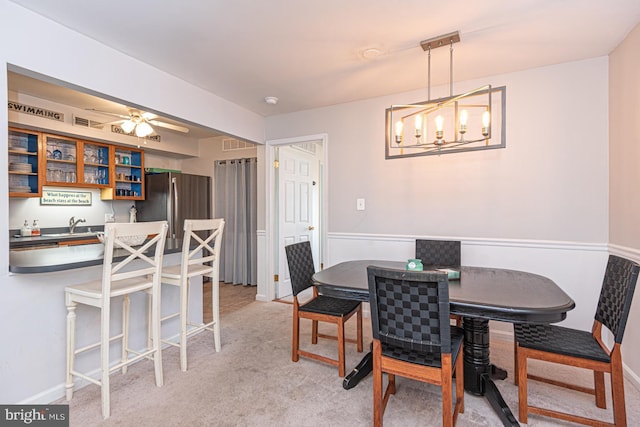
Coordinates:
(412,337)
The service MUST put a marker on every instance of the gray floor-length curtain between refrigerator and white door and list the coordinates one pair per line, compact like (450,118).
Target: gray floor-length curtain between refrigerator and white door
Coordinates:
(235,200)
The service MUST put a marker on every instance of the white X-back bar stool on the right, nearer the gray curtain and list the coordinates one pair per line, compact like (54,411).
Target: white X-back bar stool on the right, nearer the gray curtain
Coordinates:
(200,257)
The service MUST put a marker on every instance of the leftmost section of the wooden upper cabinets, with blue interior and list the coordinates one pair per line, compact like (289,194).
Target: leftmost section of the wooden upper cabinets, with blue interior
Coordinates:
(25,163)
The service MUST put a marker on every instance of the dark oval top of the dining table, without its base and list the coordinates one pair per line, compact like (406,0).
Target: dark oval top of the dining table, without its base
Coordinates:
(488,293)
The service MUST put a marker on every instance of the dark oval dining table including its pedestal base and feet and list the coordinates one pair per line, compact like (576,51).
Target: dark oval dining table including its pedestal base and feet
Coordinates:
(479,295)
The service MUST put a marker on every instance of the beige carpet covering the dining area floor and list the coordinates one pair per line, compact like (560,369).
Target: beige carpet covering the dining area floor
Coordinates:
(253,382)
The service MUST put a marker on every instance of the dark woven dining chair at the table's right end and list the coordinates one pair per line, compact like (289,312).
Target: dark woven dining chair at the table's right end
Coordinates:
(583,349)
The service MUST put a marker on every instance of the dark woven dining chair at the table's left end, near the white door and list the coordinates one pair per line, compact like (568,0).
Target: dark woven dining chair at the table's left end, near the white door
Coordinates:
(319,308)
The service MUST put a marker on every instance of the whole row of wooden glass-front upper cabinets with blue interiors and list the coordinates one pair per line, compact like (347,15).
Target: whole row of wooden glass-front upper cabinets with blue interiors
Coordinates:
(37,159)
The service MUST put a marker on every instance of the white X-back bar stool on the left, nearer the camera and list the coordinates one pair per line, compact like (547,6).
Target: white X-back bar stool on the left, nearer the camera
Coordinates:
(121,277)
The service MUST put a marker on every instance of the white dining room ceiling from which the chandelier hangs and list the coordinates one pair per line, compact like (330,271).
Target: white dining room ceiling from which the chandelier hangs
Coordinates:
(309,54)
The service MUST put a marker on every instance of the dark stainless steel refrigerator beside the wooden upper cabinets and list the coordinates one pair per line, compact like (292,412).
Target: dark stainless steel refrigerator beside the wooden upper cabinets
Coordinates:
(175,197)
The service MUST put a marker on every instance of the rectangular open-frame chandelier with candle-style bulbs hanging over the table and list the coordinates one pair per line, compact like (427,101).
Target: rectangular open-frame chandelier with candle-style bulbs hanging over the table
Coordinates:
(470,121)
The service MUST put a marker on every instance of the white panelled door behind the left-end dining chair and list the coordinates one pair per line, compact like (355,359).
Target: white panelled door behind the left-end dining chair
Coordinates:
(298,213)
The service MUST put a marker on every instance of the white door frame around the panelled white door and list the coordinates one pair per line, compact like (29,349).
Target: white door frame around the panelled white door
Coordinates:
(271,203)
